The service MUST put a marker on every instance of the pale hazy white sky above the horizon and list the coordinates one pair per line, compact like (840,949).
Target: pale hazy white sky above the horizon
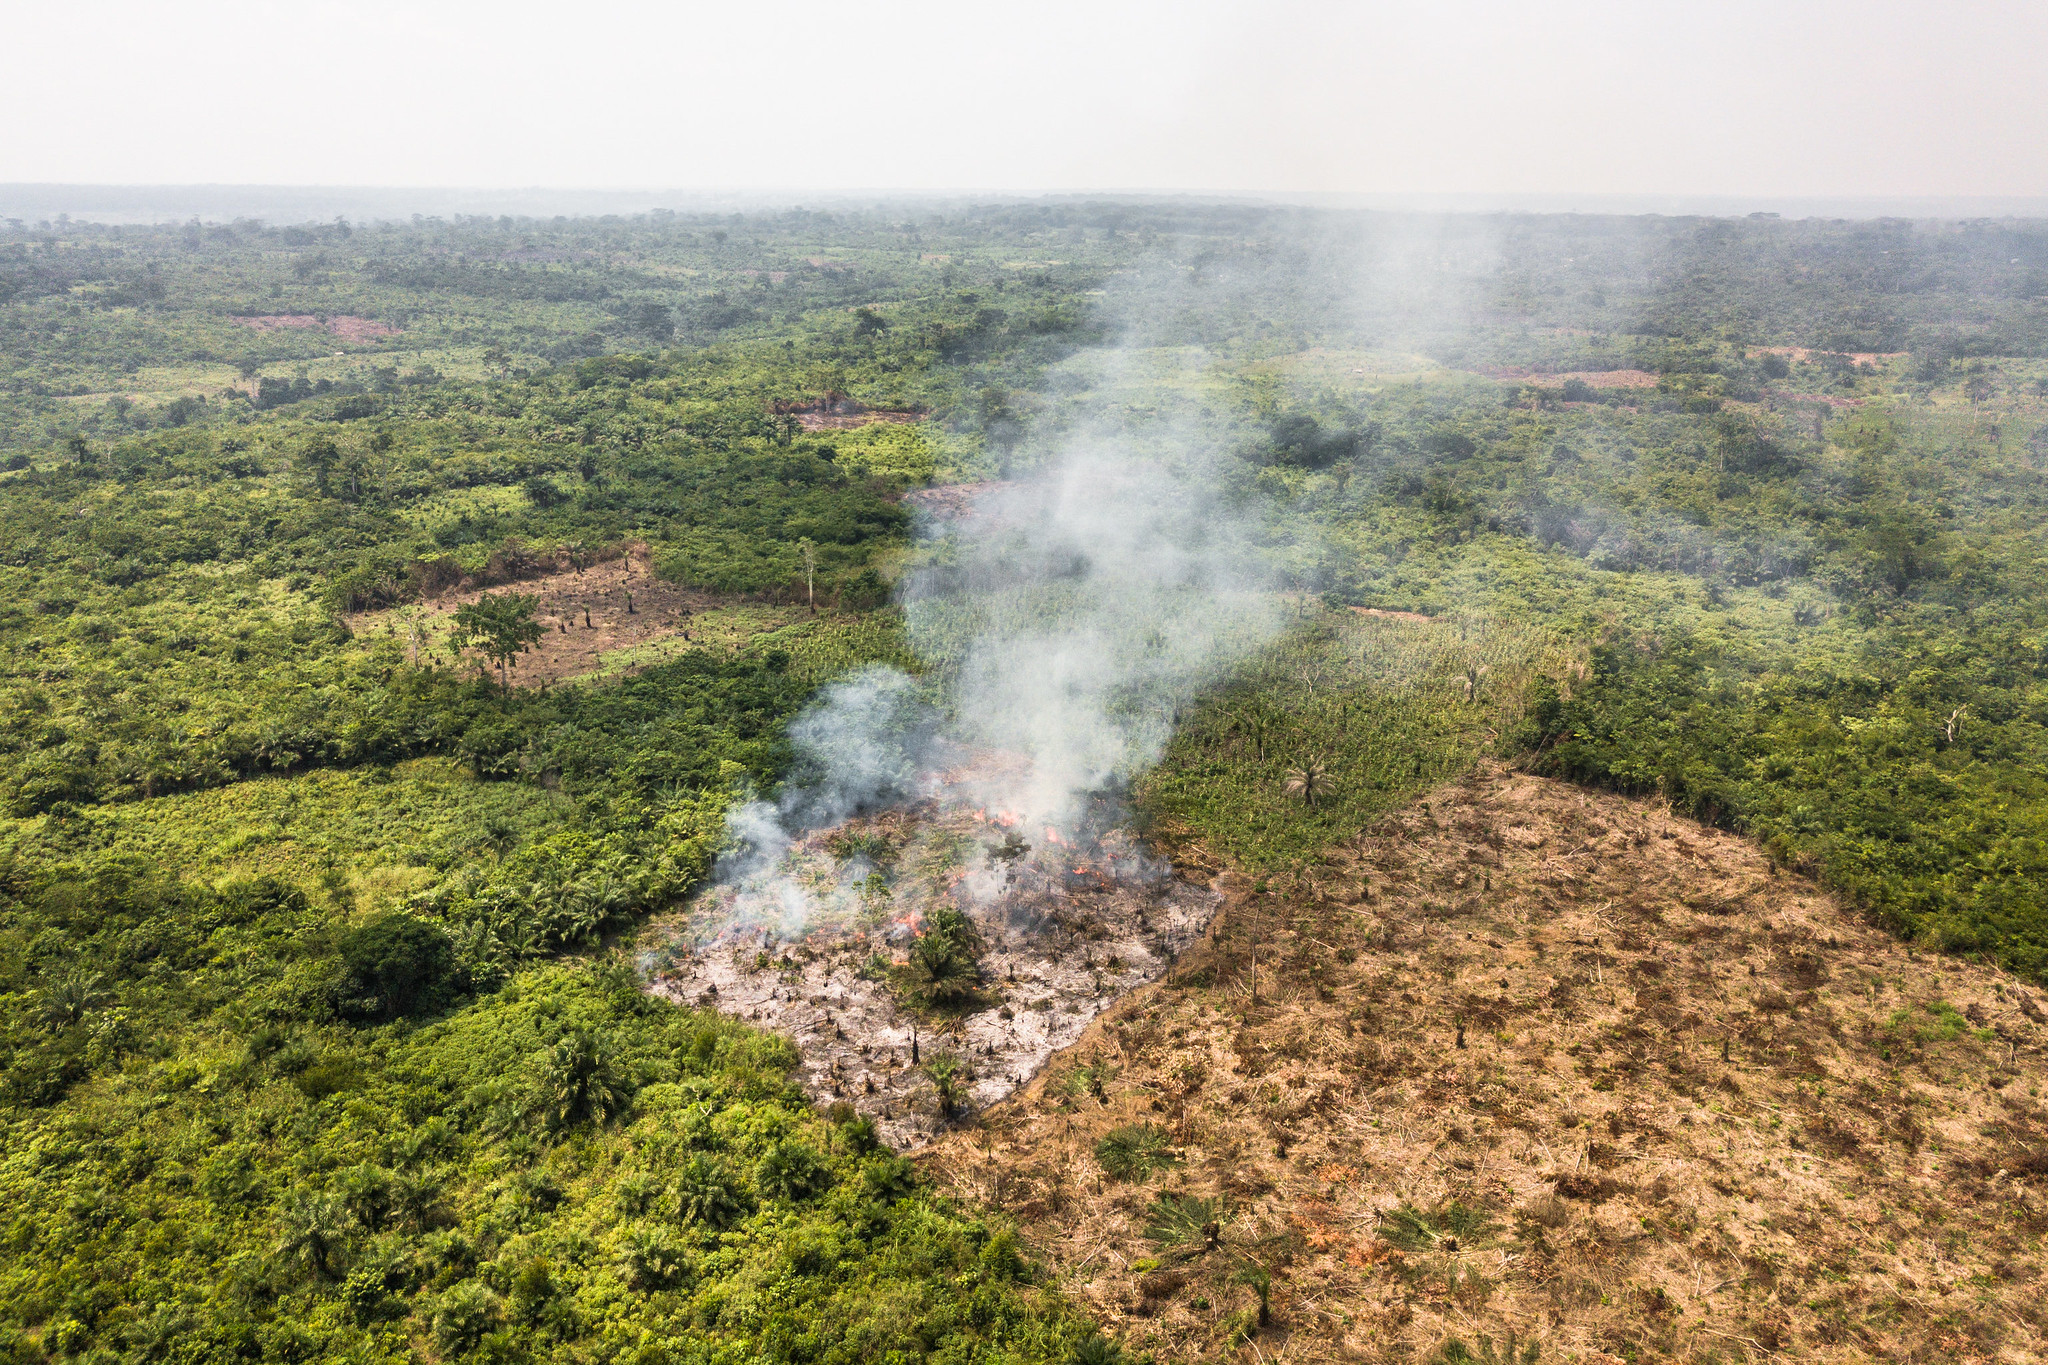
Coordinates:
(1783,97)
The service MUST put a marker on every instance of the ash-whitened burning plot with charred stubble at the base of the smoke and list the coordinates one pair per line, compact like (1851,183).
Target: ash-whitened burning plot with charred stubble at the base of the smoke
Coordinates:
(1062,928)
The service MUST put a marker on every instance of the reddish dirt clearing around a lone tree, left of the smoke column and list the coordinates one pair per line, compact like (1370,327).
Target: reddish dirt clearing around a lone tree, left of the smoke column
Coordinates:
(585,613)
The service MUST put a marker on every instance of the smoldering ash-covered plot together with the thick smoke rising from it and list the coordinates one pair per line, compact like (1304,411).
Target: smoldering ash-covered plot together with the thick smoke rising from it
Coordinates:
(953,852)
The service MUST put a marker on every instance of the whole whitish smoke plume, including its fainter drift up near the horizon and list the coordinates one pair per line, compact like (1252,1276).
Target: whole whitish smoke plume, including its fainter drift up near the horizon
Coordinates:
(1086,601)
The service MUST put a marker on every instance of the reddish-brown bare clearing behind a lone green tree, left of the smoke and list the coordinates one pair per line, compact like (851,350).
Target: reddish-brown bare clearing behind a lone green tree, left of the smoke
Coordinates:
(591,615)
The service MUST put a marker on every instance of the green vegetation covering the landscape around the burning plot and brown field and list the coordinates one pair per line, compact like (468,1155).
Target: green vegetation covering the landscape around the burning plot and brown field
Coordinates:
(310,1039)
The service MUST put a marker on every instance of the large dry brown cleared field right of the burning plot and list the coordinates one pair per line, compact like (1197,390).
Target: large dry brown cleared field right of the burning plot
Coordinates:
(1529,1059)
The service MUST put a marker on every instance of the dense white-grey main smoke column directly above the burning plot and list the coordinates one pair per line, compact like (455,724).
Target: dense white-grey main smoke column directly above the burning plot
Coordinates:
(1068,617)
